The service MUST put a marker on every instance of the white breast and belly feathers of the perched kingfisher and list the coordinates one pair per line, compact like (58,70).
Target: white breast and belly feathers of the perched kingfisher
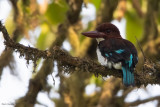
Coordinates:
(103,61)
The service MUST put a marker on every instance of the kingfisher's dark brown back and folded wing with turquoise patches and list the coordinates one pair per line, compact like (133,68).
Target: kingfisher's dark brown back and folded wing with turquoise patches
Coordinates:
(117,50)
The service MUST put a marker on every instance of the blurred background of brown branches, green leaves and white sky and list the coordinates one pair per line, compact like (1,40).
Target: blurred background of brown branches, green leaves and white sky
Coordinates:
(44,24)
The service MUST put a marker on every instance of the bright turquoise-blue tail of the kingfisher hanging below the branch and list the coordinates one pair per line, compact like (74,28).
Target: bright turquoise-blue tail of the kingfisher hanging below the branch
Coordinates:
(128,76)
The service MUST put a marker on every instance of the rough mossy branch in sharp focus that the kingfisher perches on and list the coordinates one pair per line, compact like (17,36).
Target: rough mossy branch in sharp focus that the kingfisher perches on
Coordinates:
(149,74)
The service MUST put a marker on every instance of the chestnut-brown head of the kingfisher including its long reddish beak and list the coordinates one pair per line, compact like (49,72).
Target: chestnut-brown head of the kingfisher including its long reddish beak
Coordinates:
(103,32)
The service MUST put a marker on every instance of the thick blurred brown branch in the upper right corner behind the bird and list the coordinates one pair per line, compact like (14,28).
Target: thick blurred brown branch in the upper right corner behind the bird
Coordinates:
(150,24)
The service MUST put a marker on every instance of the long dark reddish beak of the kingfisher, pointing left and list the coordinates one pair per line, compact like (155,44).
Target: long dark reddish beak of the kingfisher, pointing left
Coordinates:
(94,34)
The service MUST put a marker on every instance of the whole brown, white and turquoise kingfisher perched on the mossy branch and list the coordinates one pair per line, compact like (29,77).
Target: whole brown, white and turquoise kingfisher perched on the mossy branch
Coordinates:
(115,52)
